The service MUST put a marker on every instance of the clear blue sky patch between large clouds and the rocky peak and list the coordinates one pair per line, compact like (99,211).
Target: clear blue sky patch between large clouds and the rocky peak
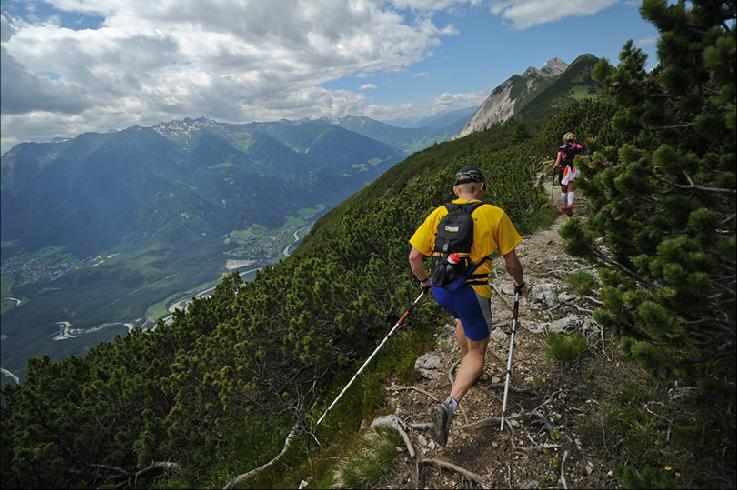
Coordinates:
(488,50)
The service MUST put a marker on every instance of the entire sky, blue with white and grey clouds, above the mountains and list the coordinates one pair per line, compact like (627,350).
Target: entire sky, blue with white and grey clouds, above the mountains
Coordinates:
(70,66)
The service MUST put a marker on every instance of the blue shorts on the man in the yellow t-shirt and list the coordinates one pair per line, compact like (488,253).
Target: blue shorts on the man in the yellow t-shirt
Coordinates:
(473,310)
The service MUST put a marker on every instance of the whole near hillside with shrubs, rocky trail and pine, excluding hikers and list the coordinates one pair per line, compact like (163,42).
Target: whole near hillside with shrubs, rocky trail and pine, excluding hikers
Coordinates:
(227,394)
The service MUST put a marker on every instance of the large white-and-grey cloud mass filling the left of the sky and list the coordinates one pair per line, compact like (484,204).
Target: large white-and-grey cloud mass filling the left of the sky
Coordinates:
(229,60)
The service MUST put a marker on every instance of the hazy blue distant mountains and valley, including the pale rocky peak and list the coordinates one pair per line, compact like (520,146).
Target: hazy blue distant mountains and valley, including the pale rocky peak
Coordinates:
(118,226)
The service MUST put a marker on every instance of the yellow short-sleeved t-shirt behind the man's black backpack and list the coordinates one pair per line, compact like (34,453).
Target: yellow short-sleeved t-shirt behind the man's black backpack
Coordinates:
(492,231)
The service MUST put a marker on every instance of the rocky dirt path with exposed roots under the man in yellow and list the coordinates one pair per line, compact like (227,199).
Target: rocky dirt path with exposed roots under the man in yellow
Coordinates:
(555,449)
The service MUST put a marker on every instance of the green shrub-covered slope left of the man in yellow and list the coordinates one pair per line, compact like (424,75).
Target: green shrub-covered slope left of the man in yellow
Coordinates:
(299,327)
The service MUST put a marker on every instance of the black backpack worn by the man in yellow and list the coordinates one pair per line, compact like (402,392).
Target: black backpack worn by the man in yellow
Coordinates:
(451,262)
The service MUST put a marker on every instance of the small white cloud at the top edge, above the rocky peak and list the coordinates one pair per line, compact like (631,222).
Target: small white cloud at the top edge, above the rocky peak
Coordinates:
(528,13)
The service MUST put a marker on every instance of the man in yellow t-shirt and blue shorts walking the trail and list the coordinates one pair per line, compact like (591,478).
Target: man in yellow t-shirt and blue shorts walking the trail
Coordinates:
(461,236)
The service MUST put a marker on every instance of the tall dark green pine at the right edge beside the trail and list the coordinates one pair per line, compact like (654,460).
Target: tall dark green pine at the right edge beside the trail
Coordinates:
(664,200)
